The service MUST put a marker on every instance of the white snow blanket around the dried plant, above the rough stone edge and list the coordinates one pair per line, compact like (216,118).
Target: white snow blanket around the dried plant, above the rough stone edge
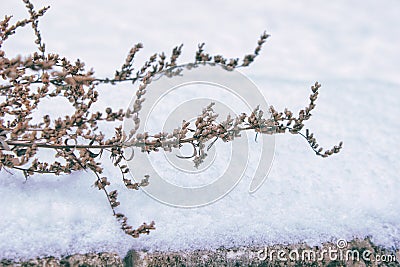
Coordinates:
(351,47)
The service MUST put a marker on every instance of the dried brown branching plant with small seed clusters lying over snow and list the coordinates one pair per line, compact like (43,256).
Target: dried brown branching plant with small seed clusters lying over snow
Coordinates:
(25,82)
